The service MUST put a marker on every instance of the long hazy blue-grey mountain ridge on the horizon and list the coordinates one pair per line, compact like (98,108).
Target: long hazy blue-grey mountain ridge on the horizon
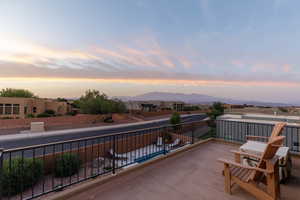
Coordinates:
(192,98)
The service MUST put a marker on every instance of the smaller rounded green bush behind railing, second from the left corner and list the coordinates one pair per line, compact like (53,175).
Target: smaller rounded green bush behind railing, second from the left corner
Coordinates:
(67,164)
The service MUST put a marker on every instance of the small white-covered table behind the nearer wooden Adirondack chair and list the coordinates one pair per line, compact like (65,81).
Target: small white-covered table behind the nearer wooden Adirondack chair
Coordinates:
(257,148)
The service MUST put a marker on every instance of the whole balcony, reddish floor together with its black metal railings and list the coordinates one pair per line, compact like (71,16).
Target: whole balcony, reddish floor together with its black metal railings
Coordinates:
(142,164)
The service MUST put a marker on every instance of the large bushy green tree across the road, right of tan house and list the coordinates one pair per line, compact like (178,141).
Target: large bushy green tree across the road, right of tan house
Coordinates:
(93,102)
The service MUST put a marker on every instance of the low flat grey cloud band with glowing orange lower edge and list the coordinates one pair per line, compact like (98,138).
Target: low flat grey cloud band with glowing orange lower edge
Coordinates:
(26,72)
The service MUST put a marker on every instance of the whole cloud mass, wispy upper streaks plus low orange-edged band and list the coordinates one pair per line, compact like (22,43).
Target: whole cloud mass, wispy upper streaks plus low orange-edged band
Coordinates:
(144,60)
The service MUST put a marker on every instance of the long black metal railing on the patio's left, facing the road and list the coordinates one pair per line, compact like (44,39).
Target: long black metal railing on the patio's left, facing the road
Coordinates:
(30,172)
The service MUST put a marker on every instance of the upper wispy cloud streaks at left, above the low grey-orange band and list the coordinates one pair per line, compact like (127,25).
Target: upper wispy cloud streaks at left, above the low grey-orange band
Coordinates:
(143,55)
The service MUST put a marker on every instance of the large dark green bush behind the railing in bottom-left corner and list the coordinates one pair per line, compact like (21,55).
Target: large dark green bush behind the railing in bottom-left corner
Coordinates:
(24,172)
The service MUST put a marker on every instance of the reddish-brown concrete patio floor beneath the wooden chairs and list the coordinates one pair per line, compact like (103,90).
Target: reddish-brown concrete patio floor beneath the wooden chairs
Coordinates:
(191,175)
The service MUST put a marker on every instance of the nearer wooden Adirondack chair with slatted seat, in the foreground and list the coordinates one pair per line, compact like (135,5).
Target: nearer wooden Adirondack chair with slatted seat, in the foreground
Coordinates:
(250,178)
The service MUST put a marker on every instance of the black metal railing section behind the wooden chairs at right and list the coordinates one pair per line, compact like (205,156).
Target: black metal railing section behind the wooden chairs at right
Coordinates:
(237,131)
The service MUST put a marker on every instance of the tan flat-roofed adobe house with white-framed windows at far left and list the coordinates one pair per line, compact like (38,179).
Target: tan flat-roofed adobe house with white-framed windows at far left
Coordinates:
(14,107)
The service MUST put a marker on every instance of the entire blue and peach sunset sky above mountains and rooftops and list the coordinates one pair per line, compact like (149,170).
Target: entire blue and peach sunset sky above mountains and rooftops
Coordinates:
(247,50)
